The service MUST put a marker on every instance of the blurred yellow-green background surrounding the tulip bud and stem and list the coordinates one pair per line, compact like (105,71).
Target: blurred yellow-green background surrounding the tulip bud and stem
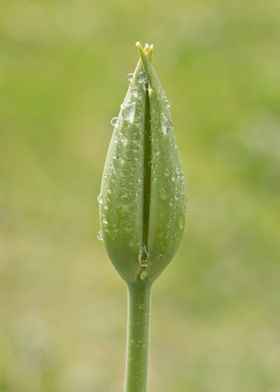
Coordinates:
(216,309)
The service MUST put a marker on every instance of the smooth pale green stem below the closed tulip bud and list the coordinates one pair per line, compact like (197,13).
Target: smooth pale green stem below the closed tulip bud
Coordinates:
(137,346)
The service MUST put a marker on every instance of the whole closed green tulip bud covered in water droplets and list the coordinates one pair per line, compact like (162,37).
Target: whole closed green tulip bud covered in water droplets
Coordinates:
(142,198)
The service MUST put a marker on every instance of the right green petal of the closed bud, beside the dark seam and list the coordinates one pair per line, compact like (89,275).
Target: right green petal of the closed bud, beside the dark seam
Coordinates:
(167,199)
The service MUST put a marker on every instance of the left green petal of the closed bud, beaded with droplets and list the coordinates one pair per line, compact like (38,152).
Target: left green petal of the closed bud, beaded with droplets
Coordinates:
(121,207)
